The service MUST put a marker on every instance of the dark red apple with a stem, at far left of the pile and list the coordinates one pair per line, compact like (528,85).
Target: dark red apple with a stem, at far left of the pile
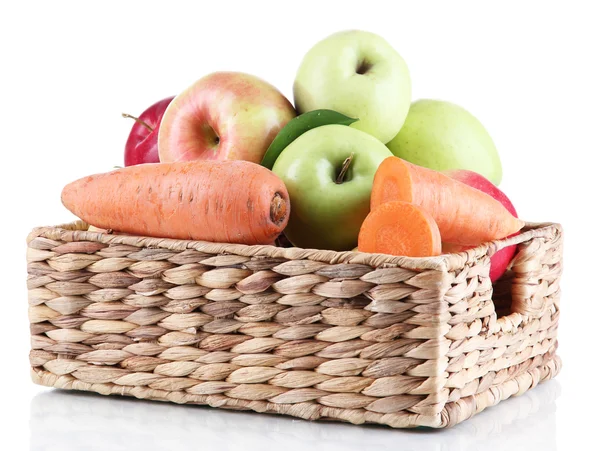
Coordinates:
(142,143)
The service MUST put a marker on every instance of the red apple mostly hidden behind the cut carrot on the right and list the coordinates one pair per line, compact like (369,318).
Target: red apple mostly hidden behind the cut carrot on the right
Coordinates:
(501,259)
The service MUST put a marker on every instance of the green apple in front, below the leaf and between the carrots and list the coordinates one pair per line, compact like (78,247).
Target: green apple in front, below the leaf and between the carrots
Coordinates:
(328,172)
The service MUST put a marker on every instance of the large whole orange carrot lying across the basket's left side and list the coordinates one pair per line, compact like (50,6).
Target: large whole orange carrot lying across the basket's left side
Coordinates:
(226,201)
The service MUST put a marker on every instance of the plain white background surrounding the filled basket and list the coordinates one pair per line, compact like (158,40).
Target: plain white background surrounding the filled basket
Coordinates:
(527,70)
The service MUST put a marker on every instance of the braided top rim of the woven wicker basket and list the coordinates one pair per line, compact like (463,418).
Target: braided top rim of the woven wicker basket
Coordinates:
(77,231)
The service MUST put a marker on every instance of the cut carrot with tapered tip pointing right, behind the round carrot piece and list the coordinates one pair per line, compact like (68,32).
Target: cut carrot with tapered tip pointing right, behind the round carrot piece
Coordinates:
(463,214)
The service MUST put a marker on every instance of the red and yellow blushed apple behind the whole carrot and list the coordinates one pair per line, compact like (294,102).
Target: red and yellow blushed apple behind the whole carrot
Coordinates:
(223,116)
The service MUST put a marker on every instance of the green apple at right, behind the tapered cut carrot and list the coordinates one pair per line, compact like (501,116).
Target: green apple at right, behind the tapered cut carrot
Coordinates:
(443,136)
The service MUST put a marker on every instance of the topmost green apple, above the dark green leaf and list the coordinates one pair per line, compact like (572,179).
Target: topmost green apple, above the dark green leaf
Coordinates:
(360,75)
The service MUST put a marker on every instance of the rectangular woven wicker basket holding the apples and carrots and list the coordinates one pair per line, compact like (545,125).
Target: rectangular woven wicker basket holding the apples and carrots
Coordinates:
(348,336)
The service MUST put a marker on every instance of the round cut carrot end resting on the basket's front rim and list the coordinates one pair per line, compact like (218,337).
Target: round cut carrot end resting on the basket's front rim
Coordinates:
(400,228)
